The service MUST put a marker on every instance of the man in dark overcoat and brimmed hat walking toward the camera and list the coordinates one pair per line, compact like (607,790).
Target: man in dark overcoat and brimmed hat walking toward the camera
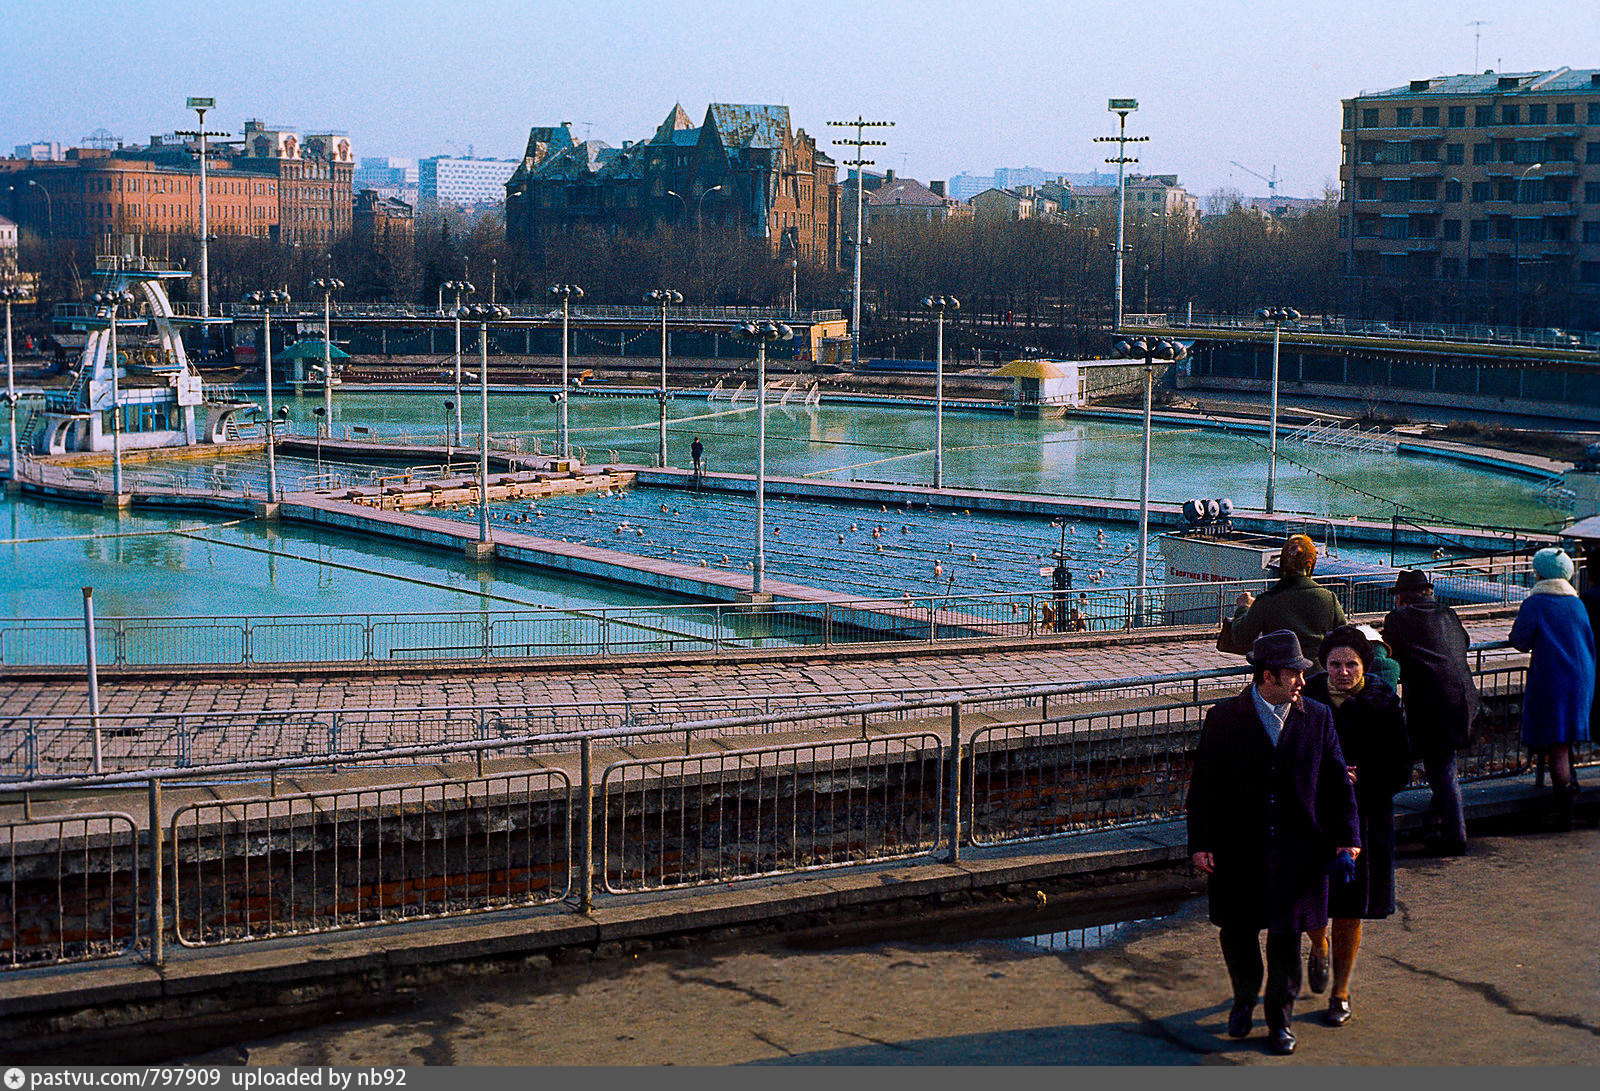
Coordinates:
(1270,809)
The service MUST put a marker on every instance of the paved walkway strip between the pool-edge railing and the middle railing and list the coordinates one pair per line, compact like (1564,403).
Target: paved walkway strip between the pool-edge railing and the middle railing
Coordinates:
(438,685)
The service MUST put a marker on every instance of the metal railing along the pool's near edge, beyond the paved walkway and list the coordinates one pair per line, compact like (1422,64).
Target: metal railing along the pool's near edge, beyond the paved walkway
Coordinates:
(686,629)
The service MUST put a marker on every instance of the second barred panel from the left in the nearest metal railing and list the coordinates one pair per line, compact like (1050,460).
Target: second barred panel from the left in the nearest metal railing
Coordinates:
(353,858)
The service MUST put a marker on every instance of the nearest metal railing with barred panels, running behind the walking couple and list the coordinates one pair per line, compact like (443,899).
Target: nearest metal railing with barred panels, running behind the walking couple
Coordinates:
(1068,757)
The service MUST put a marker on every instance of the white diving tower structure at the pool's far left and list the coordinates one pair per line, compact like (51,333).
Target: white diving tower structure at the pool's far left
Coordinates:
(156,394)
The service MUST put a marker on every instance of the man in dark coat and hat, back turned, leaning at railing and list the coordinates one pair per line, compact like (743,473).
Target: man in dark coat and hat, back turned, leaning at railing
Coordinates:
(1436,687)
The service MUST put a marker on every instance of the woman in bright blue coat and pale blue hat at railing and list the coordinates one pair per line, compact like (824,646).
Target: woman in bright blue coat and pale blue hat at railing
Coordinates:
(1554,628)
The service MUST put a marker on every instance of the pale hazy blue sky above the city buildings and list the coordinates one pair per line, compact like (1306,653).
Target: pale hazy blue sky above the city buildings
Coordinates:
(970,86)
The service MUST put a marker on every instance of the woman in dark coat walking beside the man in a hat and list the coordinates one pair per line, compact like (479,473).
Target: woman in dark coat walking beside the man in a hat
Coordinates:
(1378,762)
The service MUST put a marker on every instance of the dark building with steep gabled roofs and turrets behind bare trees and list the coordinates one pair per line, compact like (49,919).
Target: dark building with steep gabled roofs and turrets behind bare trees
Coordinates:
(742,169)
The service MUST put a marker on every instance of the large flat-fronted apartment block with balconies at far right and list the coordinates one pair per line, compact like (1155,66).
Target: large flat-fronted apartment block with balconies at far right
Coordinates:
(1476,198)
